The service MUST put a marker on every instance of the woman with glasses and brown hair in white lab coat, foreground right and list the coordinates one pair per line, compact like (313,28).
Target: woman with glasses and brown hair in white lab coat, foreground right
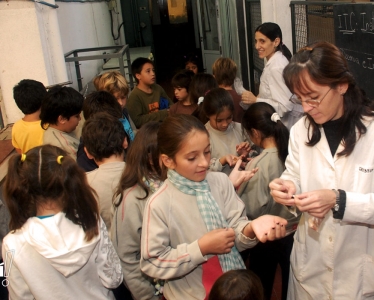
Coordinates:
(330,178)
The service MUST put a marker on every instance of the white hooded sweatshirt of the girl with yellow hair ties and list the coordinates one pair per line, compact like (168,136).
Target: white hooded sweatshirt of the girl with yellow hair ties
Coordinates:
(52,260)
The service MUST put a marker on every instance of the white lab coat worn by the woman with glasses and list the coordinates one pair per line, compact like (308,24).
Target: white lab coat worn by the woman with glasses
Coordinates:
(338,261)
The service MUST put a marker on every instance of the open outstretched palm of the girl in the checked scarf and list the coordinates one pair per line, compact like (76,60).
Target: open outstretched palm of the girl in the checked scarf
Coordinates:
(266,228)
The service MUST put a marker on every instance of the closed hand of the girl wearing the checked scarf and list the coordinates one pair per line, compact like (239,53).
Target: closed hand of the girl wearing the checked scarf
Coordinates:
(218,241)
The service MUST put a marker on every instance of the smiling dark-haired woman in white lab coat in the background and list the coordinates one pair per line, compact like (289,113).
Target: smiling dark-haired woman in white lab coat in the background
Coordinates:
(273,90)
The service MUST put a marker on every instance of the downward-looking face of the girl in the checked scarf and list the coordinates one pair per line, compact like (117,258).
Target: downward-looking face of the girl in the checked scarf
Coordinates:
(192,159)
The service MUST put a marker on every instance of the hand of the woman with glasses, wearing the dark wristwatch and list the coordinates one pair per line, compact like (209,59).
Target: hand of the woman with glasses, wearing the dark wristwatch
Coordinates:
(317,203)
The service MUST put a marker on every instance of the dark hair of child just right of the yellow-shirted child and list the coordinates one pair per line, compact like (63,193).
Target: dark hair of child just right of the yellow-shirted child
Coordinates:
(60,101)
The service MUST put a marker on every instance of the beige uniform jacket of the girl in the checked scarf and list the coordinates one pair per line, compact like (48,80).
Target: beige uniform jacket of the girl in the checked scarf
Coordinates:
(172,226)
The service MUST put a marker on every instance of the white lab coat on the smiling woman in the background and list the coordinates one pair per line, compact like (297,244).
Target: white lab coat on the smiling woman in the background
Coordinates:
(274,91)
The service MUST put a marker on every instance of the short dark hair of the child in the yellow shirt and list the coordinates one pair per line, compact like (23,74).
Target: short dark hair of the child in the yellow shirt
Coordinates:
(28,95)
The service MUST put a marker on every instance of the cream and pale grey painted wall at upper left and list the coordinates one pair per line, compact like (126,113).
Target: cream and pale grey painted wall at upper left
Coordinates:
(34,48)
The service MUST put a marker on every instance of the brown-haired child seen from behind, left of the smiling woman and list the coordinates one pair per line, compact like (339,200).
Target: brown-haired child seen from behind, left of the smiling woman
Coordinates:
(224,71)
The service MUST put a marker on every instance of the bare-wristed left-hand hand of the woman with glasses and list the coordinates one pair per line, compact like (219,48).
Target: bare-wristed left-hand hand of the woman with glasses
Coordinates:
(283,191)
